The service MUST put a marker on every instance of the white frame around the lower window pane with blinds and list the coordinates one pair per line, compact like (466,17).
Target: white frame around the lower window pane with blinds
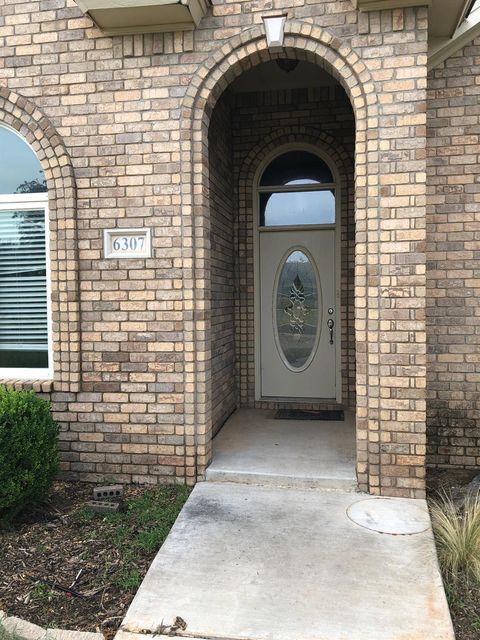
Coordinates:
(22,202)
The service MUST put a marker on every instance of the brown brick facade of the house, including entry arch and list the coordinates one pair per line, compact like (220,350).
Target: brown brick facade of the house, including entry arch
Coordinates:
(157,131)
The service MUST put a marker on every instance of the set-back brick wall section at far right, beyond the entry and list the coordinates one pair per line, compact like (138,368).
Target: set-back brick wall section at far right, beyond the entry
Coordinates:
(453,254)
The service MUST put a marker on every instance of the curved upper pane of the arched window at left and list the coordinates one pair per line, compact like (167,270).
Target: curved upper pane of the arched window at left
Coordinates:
(20,170)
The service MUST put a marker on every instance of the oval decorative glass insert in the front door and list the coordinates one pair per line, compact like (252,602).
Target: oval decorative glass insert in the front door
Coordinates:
(297,310)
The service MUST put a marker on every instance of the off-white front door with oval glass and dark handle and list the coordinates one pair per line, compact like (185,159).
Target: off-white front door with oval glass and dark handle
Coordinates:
(298,322)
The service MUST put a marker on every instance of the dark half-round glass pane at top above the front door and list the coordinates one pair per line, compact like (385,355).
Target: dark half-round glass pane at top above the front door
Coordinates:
(296,167)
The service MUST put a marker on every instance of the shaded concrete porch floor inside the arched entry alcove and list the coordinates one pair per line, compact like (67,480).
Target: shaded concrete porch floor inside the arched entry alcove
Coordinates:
(253,447)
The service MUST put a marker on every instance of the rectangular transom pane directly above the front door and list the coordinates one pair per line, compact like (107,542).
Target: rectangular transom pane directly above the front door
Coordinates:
(297,207)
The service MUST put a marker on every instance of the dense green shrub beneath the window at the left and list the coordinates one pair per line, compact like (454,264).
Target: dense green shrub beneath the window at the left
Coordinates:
(28,450)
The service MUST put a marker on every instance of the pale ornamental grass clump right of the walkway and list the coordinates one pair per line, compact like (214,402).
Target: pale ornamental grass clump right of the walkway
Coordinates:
(457,533)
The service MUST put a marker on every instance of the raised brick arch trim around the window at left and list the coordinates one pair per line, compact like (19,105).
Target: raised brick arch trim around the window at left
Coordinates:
(23,116)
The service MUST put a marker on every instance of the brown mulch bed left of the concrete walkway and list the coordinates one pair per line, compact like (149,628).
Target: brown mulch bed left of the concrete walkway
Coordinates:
(60,538)
